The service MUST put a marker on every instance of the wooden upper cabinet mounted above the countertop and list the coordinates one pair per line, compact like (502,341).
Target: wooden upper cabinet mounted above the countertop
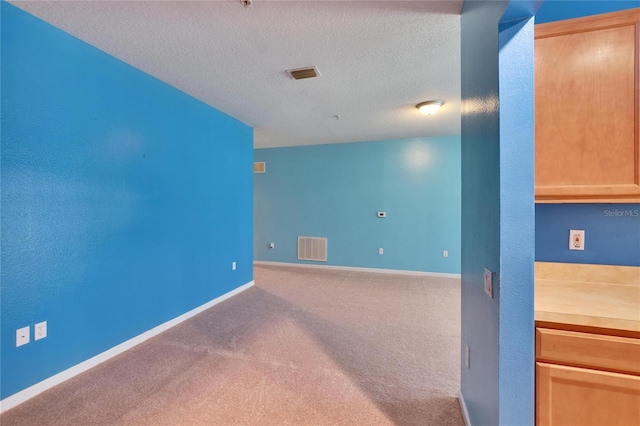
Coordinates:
(587,109)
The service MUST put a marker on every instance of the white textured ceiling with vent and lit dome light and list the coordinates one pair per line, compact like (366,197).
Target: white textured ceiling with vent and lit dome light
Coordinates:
(376,60)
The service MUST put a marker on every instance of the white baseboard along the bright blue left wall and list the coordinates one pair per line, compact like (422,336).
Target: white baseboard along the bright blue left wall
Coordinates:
(31,391)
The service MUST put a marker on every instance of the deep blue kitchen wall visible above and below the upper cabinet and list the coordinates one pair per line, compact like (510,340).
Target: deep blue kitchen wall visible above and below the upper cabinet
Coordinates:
(609,239)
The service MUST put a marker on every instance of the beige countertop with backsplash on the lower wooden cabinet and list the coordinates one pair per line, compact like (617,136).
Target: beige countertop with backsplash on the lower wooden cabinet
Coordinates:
(588,295)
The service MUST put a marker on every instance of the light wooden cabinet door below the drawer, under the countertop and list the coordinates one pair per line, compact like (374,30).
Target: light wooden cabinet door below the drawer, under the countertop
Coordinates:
(577,396)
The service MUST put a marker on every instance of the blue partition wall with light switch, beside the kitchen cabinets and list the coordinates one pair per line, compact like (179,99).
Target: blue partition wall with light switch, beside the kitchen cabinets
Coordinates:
(497,211)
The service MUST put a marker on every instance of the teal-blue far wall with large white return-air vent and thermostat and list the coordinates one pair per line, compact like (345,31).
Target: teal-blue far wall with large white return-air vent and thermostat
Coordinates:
(334,191)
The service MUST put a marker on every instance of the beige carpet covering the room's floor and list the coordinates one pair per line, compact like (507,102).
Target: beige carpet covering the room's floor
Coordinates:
(302,347)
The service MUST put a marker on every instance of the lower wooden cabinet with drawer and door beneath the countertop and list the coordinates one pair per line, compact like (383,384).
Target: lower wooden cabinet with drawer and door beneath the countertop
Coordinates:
(587,379)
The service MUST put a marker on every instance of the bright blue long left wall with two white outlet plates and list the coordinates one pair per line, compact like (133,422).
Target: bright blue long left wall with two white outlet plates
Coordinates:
(124,201)
